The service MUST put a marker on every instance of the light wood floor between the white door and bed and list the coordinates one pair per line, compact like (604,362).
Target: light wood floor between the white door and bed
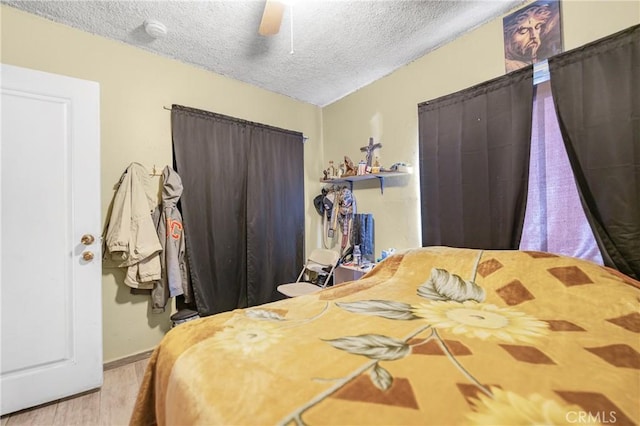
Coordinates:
(111,405)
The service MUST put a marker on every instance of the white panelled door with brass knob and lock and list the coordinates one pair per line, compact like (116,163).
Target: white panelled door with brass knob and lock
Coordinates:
(50,287)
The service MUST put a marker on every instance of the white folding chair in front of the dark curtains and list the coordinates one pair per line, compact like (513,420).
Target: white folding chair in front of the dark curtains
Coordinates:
(320,264)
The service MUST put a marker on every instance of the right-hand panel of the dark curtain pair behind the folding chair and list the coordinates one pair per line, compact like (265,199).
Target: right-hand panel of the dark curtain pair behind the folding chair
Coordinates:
(275,212)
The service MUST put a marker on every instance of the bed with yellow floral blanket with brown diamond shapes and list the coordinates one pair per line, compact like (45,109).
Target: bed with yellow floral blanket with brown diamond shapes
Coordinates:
(431,336)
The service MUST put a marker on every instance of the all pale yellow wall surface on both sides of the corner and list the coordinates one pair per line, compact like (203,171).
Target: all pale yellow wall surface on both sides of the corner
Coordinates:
(135,85)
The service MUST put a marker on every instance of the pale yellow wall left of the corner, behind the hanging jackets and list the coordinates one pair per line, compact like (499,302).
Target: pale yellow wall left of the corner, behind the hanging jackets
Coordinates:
(135,85)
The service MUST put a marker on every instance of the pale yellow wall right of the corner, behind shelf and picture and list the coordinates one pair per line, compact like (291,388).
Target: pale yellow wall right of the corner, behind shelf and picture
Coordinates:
(387,109)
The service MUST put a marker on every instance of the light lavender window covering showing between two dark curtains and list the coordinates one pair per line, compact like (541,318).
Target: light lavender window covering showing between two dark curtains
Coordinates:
(554,220)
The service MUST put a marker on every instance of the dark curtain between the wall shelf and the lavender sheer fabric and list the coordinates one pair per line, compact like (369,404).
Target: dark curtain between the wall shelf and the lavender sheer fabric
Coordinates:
(474,163)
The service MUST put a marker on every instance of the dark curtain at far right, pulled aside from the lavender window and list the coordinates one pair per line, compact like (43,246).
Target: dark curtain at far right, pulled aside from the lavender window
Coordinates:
(596,90)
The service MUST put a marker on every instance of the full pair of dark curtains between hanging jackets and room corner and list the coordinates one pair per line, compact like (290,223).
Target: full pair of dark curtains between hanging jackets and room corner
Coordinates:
(242,207)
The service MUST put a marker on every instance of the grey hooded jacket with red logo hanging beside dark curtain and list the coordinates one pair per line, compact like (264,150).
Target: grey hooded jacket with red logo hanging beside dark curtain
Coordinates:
(170,231)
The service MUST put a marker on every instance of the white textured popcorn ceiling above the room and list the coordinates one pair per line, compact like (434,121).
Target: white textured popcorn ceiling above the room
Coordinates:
(325,50)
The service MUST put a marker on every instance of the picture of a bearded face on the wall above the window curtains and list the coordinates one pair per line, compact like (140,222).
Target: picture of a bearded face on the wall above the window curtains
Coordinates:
(532,34)
